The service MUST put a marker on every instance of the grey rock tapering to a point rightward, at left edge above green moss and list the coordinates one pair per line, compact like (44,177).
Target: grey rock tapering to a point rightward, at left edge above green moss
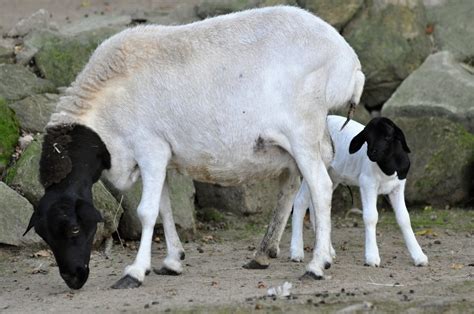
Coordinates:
(16,83)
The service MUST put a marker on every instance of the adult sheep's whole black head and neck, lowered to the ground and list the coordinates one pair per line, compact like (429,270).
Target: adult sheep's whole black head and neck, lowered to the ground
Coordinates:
(72,160)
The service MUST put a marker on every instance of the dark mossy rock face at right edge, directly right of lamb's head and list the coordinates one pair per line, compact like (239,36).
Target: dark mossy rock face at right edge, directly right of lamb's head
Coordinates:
(442,161)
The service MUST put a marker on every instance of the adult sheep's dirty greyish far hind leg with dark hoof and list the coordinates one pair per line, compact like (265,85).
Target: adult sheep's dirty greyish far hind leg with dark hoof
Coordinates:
(269,247)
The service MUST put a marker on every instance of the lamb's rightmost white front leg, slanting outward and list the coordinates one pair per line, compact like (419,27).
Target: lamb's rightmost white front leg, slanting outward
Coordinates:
(403,219)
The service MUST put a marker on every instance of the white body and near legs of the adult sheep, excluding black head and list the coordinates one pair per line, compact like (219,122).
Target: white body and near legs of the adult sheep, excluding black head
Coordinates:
(225,100)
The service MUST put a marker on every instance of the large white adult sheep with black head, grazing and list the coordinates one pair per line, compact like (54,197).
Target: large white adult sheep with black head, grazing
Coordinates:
(228,99)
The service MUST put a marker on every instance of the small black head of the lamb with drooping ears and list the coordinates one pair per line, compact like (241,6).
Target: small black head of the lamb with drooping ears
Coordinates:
(386,145)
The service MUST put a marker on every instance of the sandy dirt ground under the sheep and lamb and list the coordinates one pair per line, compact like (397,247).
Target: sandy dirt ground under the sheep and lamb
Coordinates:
(214,280)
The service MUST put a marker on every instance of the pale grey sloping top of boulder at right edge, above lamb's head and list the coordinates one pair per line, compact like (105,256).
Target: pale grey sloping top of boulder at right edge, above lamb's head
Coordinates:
(441,87)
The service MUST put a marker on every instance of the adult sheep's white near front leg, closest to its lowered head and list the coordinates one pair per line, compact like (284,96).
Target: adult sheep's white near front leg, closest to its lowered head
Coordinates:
(153,169)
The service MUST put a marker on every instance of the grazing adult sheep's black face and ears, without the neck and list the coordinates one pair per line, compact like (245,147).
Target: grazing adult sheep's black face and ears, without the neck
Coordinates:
(68,226)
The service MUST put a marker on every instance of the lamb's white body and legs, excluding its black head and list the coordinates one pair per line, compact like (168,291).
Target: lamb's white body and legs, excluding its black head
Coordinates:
(357,170)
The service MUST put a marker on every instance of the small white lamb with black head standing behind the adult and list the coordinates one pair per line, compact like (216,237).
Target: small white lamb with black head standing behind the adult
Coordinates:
(378,167)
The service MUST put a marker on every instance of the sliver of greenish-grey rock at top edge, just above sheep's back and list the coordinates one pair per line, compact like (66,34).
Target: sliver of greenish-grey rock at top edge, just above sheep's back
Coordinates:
(209,8)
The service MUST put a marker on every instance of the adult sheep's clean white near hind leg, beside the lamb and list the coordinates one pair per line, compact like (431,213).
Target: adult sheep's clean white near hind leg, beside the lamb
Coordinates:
(320,186)
